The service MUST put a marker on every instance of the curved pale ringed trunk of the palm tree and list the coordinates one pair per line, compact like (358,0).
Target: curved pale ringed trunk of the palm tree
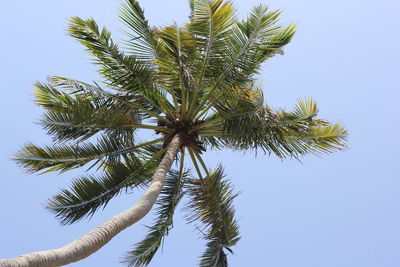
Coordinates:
(91,242)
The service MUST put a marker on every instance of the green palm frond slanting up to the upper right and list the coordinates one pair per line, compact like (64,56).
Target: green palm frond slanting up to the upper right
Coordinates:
(249,44)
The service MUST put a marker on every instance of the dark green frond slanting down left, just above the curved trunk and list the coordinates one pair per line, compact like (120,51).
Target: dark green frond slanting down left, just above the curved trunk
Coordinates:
(88,193)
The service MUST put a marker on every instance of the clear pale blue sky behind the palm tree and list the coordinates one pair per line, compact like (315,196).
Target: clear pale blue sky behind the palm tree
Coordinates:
(337,210)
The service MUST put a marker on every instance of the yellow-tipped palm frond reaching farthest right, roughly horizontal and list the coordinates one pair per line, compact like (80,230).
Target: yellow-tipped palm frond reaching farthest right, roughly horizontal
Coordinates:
(286,134)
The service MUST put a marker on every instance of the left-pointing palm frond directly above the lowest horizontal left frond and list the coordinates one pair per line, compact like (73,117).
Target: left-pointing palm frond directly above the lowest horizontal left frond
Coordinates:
(78,117)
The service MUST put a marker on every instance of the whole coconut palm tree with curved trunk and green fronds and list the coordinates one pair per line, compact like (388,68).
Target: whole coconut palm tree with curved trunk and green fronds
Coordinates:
(194,88)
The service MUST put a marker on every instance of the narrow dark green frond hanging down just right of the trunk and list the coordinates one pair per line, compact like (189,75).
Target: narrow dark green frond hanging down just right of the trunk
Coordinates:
(170,196)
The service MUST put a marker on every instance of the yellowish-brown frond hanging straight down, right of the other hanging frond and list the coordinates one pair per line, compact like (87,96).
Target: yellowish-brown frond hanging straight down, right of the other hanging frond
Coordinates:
(210,202)
